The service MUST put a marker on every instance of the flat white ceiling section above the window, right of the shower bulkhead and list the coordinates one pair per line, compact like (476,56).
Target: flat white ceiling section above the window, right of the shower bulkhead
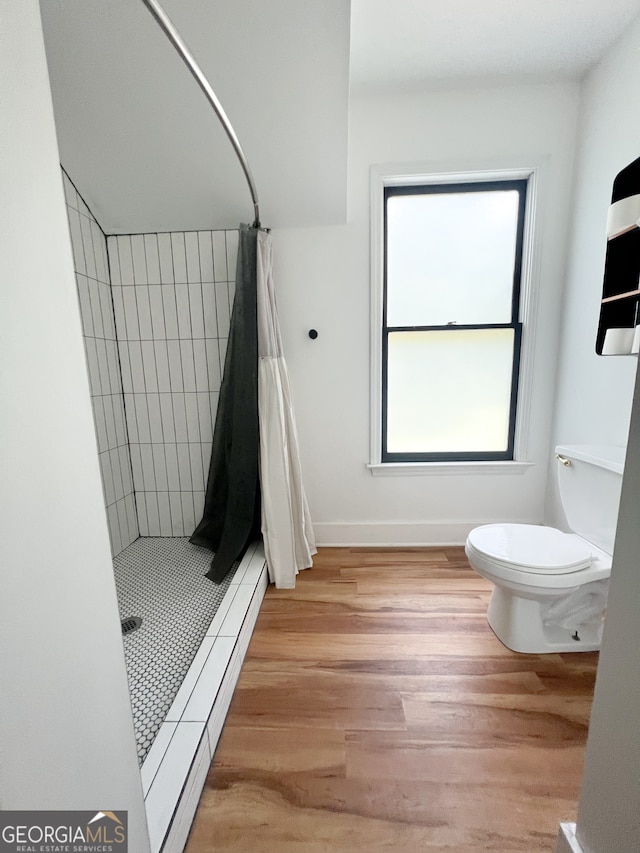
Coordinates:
(415,43)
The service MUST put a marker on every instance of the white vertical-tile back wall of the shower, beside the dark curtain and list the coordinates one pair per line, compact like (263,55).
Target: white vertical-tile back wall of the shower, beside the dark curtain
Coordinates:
(172,294)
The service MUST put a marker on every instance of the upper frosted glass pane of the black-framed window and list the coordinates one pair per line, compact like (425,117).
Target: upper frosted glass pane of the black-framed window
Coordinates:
(450,257)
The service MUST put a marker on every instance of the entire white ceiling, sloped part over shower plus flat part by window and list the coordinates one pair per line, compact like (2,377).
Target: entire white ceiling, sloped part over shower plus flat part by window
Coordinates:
(147,152)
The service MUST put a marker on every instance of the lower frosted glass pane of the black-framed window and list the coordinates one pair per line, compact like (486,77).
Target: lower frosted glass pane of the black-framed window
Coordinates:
(449,391)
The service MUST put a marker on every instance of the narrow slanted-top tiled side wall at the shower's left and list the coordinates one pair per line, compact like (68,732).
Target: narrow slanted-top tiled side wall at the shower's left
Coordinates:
(96,308)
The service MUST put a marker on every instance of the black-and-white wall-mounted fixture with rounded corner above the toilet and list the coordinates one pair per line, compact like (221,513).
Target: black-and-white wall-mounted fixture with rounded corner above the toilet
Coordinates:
(619,327)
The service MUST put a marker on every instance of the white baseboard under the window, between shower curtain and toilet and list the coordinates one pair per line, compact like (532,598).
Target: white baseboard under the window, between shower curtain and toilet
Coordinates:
(393,534)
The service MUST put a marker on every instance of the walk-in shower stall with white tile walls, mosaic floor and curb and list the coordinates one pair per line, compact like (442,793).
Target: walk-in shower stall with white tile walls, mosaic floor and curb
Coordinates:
(155,312)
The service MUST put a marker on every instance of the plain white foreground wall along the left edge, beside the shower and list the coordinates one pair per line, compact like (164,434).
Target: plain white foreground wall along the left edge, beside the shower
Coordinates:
(65,718)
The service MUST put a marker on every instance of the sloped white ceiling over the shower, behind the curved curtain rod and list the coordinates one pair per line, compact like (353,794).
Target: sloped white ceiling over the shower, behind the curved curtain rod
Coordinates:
(145,148)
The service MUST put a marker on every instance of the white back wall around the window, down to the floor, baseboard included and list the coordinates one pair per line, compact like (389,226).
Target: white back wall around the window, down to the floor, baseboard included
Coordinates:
(322,280)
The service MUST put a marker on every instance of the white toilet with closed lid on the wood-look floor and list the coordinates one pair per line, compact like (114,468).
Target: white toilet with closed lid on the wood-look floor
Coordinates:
(550,587)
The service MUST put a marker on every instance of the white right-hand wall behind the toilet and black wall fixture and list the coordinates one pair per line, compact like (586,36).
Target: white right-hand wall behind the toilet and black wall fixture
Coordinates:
(594,393)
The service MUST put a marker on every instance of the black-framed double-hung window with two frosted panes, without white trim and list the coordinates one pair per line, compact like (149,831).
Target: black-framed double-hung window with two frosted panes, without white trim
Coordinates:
(451,331)
